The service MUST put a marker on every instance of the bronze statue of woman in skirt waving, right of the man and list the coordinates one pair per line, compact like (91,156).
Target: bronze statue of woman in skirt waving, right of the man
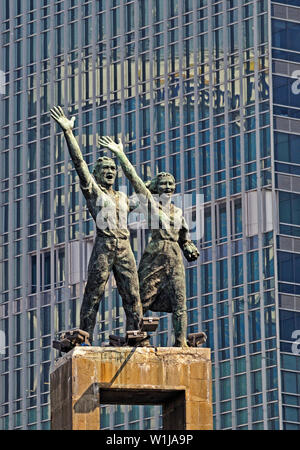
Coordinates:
(161,270)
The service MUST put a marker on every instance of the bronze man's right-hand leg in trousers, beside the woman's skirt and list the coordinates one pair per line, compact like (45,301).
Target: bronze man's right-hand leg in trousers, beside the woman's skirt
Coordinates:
(126,277)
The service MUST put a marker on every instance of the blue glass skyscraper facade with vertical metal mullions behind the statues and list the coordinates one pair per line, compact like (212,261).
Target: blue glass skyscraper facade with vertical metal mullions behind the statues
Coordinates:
(208,90)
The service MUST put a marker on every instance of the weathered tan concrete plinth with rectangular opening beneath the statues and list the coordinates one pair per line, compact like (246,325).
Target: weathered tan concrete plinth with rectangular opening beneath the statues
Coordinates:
(179,379)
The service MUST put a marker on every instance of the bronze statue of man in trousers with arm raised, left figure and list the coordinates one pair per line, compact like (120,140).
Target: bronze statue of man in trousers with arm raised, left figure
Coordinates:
(112,250)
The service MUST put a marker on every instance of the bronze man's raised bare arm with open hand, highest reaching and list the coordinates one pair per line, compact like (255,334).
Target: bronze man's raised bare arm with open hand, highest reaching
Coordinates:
(67,126)
